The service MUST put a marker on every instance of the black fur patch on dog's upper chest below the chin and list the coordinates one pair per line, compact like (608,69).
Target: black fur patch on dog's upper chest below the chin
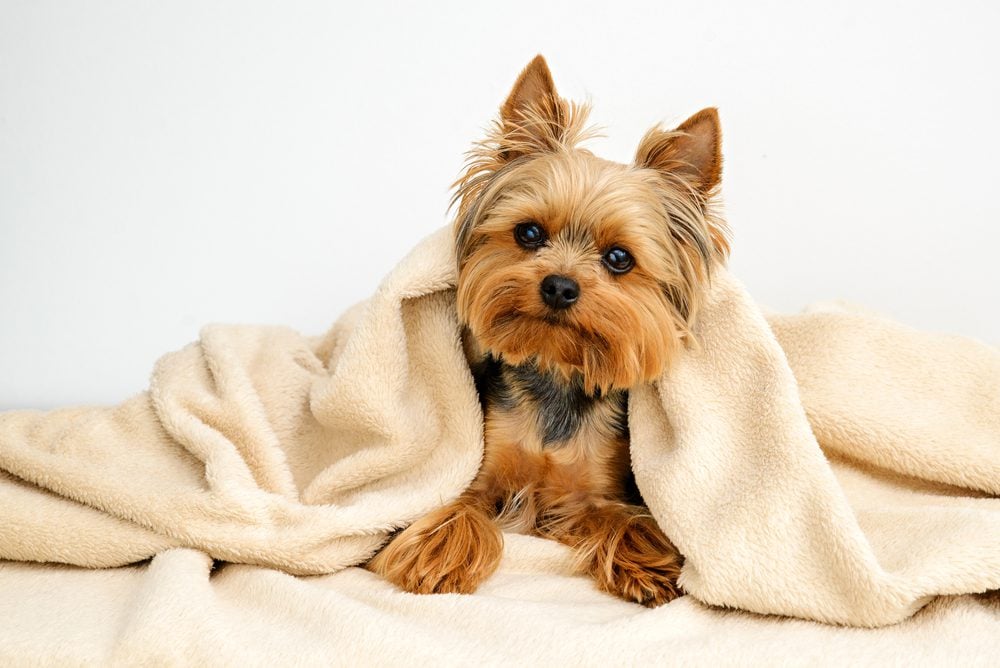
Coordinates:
(562,406)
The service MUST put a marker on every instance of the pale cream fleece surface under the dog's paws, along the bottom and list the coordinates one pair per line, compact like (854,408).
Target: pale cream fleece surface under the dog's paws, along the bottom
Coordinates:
(179,611)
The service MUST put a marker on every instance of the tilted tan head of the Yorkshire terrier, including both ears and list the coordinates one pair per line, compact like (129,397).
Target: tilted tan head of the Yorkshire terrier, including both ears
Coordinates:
(583,265)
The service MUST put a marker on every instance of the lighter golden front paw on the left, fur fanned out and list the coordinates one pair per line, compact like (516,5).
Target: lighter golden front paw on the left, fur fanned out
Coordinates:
(452,550)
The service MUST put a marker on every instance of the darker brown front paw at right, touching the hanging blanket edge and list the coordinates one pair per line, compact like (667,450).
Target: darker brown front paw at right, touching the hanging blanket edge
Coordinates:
(639,563)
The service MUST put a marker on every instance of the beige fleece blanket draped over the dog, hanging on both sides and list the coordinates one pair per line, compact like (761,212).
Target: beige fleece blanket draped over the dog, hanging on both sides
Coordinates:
(832,465)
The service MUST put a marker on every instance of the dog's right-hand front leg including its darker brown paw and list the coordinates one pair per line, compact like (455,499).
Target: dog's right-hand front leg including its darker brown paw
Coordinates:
(621,547)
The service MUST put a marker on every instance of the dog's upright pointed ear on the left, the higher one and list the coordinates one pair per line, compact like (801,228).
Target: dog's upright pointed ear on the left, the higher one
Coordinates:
(534,117)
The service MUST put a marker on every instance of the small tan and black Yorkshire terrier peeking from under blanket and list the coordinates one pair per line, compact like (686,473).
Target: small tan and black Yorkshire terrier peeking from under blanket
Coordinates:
(579,278)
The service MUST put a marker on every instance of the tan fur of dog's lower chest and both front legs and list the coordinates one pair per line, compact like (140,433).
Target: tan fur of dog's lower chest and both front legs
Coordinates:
(574,494)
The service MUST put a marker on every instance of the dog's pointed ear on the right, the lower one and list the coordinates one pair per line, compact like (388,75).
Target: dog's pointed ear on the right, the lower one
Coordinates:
(693,151)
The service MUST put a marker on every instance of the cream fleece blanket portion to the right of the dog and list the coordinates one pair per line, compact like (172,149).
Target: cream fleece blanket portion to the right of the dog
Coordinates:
(725,451)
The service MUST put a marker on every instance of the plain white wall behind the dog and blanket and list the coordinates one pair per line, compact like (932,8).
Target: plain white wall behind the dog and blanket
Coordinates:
(168,164)
